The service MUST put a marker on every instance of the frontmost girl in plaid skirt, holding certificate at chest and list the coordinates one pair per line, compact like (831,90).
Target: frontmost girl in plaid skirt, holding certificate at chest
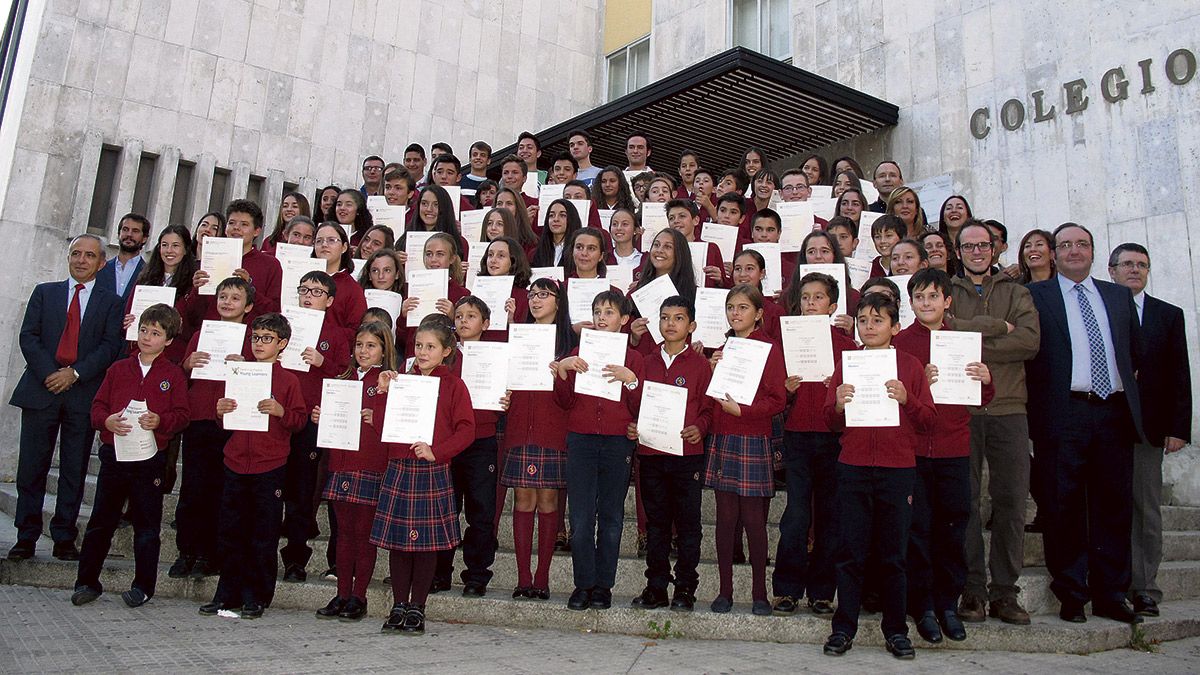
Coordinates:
(417,517)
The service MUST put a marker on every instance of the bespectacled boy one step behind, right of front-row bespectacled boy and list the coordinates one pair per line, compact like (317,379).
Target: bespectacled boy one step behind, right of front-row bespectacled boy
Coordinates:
(329,360)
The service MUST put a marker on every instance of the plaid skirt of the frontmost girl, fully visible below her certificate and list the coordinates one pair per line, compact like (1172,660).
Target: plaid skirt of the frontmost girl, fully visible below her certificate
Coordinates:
(416,511)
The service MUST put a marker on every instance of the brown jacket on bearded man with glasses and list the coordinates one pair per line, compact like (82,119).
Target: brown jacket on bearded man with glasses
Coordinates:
(1003,302)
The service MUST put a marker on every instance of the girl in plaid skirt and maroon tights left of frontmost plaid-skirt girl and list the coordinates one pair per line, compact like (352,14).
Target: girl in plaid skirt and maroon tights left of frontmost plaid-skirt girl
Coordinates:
(356,476)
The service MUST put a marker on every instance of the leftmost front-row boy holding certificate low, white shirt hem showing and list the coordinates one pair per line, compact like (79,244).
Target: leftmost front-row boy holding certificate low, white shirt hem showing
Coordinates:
(147,379)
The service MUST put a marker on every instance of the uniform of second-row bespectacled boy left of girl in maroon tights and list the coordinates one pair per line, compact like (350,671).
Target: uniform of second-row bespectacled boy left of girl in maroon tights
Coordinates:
(304,457)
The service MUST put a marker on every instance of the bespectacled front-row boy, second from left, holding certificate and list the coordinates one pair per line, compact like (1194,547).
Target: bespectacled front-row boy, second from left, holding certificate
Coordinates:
(253,499)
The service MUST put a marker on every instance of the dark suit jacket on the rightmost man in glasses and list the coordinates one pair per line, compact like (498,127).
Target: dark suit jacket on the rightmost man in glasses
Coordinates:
(1165,380)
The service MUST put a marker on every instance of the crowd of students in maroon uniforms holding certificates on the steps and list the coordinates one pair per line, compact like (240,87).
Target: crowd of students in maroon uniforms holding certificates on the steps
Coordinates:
(874,498)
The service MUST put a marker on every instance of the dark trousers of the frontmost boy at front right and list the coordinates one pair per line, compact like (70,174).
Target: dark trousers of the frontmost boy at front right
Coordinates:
(874,515)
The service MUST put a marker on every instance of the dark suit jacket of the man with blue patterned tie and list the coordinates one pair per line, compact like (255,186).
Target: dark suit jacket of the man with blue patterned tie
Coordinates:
(1048,375)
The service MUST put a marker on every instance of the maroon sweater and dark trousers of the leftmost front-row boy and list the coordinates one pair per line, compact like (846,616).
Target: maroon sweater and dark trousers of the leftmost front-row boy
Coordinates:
(163,387)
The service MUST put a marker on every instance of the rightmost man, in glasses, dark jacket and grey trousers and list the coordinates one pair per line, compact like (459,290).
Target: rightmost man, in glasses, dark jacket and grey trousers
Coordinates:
(1165,386)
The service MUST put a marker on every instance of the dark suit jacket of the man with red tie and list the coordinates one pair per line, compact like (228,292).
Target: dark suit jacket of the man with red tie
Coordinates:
(101,342)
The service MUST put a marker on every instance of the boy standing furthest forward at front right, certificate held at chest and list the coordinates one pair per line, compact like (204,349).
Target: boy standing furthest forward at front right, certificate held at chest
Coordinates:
(875,483)
